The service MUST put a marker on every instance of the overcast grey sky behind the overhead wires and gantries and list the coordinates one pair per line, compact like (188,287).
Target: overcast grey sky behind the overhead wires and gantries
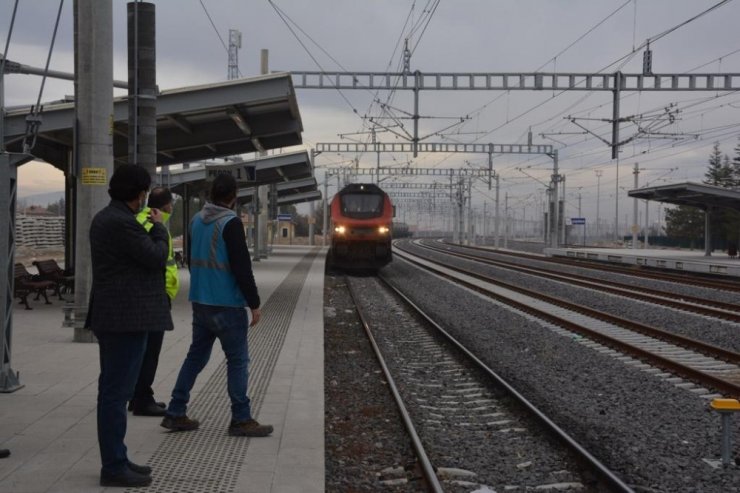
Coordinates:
(459,36)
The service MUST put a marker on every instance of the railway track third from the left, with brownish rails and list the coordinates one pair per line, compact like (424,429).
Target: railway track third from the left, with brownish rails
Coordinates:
(691,304)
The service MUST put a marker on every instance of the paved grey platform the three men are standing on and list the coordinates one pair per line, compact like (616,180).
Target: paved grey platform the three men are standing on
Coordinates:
(49,425)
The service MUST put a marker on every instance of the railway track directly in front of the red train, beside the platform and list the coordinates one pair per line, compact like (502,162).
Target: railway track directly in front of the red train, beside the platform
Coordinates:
(459,413)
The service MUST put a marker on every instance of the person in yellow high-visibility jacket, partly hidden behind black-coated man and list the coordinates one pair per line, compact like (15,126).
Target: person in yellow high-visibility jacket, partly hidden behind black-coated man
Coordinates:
(143,402)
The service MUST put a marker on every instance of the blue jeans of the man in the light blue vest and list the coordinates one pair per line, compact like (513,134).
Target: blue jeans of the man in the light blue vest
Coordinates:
(228,325)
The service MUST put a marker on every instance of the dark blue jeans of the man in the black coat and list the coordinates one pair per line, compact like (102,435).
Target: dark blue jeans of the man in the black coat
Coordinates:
(121,354)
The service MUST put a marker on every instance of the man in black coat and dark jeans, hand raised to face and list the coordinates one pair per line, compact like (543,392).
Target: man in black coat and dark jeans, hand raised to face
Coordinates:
(128,299)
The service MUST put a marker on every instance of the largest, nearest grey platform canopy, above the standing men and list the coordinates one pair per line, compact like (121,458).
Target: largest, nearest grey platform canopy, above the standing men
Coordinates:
(193,123)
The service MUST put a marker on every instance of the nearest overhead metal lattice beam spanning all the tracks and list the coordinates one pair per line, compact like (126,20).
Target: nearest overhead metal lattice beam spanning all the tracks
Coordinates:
(506,81)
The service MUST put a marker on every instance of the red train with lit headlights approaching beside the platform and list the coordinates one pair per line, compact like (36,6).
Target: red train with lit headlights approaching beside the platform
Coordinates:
(362,218)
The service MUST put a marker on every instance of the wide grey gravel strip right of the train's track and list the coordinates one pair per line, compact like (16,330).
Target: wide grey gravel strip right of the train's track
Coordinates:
(653,434)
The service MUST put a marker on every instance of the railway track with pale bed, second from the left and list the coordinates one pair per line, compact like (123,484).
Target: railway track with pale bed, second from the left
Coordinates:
(707,365)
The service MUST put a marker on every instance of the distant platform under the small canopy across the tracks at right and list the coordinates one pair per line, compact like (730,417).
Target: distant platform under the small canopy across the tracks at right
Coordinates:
(718,263)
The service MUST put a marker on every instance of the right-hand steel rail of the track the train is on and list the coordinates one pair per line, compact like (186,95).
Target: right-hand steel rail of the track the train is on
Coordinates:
(604,472)
